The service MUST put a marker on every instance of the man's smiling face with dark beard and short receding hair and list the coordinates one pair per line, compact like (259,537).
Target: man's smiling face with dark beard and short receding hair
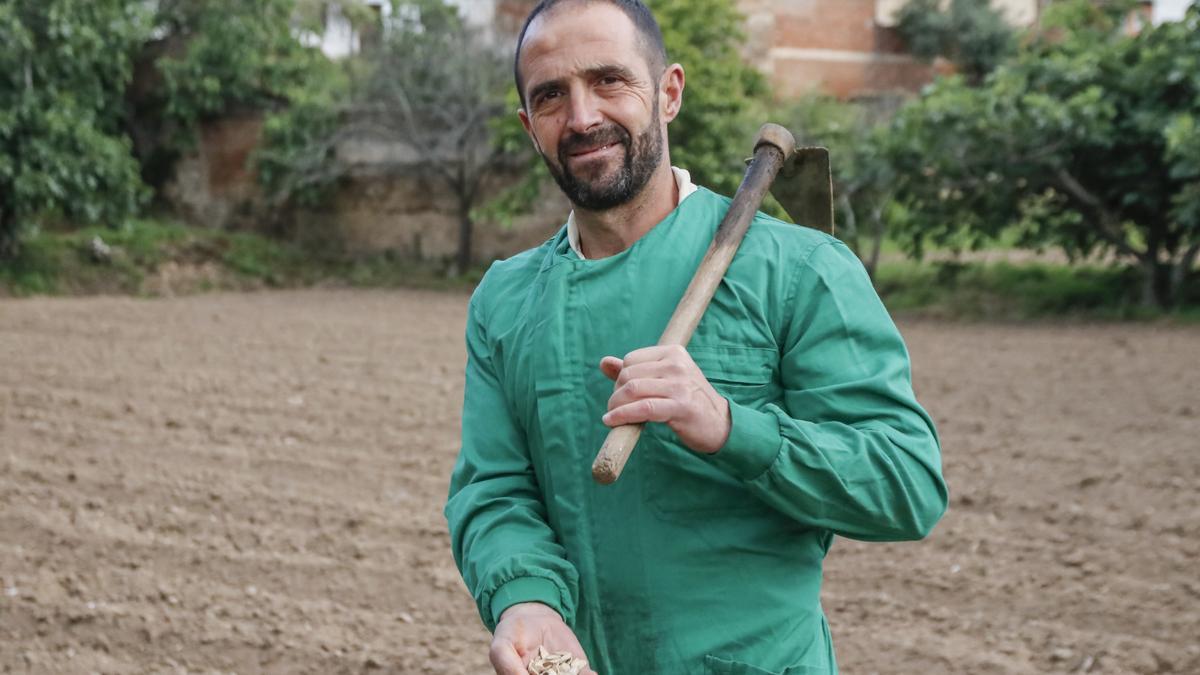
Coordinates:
(592,104)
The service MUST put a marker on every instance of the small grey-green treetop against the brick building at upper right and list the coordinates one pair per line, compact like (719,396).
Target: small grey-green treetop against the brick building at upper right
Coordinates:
(970,34)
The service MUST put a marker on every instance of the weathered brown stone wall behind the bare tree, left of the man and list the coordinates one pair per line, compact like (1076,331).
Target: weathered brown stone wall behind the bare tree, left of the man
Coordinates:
(410,214)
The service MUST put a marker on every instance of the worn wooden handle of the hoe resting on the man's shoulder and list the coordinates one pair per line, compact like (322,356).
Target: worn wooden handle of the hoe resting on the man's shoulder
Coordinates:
(773,147)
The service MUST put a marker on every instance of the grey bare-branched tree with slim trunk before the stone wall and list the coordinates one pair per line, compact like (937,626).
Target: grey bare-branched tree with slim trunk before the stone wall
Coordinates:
(433,87)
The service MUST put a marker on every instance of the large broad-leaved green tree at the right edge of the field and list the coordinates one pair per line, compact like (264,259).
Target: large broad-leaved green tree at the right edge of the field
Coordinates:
(1085,141)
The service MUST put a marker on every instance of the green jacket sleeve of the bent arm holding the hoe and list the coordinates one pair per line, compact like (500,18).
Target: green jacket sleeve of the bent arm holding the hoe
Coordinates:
(848,449)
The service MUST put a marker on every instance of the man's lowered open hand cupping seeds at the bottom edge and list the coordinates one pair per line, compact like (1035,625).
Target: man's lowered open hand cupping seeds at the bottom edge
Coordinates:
(521,630)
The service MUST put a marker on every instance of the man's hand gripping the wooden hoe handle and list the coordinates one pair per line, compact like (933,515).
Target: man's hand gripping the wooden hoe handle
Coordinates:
(665,385)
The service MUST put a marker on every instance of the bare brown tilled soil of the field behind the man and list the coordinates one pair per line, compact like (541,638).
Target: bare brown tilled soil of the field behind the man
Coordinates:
(254,483)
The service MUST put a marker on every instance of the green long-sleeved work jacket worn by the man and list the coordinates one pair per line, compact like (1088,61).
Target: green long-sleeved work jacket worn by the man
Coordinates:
(689,564)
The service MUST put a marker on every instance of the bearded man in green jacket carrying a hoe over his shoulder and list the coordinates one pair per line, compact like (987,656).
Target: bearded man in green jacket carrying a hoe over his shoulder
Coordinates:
(789,420)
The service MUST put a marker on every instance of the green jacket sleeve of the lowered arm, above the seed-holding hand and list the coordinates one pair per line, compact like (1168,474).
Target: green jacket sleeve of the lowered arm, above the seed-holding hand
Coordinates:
(500,535)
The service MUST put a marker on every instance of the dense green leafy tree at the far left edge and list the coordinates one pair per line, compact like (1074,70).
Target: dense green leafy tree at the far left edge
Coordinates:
(63,69)
